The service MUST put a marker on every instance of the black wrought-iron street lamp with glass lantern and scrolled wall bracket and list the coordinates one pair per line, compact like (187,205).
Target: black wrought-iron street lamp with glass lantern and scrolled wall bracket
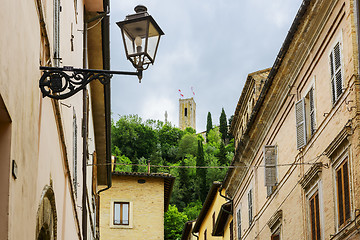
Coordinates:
(141,36)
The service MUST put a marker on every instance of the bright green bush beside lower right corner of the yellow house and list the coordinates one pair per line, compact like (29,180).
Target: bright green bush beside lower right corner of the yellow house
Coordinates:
(174,222)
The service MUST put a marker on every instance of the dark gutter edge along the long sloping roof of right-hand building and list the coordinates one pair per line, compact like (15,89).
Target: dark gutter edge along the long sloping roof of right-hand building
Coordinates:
(283,50)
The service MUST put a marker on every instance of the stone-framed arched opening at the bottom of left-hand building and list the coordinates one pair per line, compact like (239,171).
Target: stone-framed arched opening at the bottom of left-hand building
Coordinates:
(46,224)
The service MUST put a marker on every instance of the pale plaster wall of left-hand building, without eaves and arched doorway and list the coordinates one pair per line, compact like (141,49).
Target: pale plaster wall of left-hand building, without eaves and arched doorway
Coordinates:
(36,142)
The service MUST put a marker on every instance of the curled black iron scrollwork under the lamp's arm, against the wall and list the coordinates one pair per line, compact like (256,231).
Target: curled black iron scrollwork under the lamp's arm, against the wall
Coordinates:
(60,85)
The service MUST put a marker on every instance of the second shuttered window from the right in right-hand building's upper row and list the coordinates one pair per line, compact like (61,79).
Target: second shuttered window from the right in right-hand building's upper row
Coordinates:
(305,118)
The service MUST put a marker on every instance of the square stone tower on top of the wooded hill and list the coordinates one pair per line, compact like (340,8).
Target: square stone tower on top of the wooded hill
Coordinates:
(187,113)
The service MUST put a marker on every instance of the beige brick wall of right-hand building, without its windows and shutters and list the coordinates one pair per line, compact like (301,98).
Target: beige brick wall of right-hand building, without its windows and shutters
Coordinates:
(302,72)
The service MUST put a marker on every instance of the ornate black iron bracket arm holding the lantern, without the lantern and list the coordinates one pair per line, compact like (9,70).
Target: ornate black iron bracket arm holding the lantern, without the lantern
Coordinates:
(61,83)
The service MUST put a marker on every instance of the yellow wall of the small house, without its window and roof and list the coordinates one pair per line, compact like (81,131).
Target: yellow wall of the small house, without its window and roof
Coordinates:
(147,211)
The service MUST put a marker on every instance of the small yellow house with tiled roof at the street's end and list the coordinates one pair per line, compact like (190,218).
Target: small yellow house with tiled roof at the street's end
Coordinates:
(134,207)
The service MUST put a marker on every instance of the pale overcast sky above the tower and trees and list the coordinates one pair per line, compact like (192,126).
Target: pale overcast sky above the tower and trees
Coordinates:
(209,45)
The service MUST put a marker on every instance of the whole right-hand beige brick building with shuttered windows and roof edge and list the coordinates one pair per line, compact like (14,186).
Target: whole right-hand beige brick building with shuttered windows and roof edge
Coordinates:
(296,172)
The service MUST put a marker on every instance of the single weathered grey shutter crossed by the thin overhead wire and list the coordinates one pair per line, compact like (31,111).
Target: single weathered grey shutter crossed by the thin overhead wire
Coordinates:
(270,158)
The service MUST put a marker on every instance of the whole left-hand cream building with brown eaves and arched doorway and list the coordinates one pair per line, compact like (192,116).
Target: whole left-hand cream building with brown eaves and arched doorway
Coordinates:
(45,144)
